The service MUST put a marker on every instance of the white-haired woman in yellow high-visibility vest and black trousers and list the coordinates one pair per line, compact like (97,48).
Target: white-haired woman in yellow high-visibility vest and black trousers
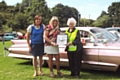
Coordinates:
(74,48)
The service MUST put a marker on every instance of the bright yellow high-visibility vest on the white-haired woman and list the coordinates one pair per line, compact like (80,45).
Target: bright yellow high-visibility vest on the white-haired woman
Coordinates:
(71,38)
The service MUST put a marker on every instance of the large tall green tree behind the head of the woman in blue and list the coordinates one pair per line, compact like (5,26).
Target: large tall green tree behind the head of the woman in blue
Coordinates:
(24,14)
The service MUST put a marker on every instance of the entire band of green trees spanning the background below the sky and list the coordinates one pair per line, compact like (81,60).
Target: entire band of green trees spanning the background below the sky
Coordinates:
(20,16)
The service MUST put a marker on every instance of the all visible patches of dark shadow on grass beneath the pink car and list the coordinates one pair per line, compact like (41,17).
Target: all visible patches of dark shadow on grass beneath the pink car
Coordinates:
(85,73)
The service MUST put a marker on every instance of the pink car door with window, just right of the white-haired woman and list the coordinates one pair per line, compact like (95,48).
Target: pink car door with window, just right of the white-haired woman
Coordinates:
(90,57)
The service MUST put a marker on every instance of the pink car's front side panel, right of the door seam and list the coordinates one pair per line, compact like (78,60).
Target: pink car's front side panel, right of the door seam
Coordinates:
(109,58)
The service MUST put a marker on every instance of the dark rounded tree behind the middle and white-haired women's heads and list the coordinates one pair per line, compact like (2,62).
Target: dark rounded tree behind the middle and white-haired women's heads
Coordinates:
(63,13)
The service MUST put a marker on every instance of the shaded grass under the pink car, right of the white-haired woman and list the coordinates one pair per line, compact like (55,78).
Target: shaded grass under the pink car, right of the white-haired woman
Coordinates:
(100,75)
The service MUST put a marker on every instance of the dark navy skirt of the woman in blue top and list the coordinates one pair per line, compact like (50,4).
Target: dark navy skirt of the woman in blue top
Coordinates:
(37,49)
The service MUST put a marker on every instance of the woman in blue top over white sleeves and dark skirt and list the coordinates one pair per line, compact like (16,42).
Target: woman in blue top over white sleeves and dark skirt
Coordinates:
(36,46)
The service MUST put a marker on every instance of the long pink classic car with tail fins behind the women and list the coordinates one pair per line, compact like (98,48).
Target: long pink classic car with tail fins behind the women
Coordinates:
(101,50)
